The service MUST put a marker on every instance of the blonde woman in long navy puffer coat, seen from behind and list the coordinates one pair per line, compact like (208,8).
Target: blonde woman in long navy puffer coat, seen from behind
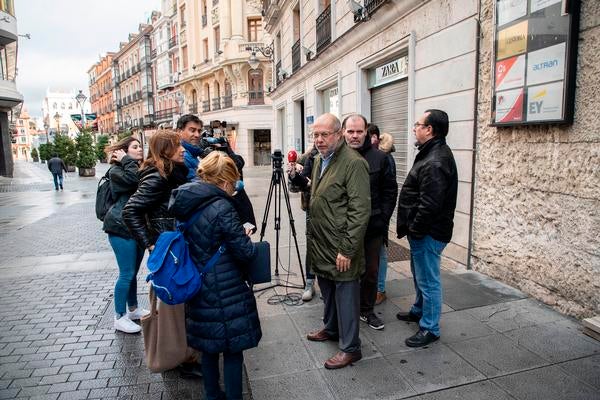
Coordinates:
(222,317)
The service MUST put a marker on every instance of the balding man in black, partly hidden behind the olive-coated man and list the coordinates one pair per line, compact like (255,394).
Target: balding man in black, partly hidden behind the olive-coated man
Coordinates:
(384,190)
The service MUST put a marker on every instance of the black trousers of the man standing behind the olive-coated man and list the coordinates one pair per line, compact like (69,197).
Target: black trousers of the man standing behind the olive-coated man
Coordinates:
(368,282)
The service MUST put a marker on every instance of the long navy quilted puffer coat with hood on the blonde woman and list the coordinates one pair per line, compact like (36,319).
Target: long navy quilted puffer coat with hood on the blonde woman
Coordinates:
(222,317)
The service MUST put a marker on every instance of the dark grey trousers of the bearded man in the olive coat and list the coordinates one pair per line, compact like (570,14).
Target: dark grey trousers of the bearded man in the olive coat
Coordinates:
(342,301)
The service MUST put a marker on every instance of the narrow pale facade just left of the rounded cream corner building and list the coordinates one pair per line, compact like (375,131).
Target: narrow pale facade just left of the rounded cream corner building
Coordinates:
(166,65)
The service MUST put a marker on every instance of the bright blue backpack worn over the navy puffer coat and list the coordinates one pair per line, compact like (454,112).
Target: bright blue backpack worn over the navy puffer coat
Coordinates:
(173,274)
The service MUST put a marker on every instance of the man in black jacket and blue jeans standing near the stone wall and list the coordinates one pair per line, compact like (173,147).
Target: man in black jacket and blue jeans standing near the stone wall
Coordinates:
(425,215)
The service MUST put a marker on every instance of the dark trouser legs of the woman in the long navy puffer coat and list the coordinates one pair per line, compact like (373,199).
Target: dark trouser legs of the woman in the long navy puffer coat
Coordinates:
(232,375)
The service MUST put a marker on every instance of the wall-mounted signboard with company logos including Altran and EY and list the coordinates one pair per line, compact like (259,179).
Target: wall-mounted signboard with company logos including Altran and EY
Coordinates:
(535,59)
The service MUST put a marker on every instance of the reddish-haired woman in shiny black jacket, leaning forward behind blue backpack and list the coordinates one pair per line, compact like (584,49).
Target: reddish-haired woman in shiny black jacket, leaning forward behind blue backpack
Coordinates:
(146,213)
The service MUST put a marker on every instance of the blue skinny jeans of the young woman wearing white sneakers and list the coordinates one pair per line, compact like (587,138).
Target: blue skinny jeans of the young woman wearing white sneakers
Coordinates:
(129,257)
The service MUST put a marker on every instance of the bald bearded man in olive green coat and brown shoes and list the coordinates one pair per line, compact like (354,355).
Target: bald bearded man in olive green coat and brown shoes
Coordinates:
(340,206)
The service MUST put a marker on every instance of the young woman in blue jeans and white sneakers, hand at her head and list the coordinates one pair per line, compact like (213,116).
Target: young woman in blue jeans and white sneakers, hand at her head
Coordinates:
(125,158)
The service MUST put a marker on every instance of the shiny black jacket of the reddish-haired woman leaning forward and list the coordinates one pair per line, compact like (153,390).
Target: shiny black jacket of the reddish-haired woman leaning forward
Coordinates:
(145,214)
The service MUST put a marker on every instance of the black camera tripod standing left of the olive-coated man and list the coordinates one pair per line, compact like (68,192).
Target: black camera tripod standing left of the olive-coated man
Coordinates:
(277,184)
